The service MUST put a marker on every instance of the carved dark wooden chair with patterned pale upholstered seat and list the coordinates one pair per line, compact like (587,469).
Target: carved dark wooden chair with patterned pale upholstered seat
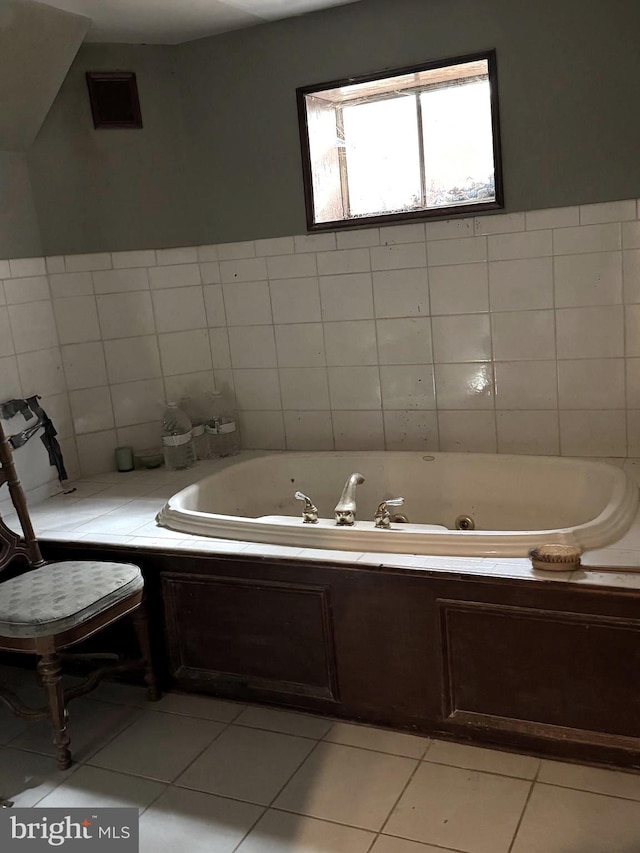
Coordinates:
(56,605)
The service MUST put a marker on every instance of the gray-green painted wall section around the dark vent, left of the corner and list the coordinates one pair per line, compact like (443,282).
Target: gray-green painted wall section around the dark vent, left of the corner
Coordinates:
(115,189)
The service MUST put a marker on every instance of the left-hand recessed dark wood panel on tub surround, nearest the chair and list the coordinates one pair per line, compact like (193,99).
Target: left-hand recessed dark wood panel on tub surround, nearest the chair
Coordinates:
(267,637)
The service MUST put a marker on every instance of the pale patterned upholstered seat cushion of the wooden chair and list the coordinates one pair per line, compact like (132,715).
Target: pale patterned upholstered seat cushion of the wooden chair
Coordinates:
(60,596)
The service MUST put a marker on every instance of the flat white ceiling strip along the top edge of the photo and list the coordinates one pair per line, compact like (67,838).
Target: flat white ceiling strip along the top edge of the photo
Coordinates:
(175,21)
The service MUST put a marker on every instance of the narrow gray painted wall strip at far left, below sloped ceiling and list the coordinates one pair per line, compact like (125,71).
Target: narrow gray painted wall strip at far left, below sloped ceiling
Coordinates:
(19,232)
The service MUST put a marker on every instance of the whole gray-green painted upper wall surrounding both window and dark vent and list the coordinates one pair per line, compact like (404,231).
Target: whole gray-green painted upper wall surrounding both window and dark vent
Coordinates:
(567,71)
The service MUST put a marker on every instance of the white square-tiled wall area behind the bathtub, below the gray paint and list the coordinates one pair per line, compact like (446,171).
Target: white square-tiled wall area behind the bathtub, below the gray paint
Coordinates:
(512,332)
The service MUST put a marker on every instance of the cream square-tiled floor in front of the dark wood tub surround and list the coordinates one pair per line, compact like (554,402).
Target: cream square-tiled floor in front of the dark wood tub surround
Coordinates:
(210,776)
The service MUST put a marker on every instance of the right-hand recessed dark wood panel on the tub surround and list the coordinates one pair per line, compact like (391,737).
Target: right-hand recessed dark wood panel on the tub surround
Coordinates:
(523,669)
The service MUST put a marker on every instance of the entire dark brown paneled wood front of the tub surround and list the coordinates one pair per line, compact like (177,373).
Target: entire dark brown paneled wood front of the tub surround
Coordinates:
(541,666)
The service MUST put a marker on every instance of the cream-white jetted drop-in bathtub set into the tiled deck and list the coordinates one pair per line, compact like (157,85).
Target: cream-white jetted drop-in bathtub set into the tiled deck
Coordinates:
(516,502)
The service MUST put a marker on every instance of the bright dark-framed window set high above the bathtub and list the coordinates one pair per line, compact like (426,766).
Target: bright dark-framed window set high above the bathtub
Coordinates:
(408,144)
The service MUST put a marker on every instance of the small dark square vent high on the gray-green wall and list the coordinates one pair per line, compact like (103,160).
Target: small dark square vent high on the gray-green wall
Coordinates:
(114,99)
